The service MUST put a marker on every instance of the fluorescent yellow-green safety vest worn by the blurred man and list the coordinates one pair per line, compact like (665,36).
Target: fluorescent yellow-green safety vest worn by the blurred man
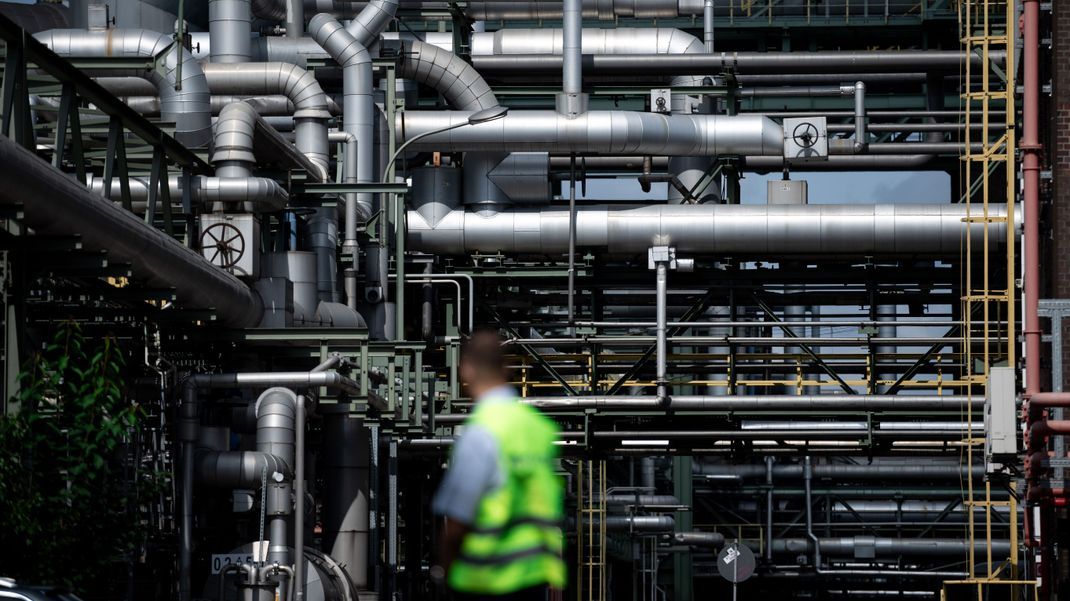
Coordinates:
(515,542)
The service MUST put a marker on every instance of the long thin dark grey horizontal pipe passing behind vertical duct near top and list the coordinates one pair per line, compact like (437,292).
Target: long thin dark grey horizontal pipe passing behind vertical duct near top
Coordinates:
(886,61)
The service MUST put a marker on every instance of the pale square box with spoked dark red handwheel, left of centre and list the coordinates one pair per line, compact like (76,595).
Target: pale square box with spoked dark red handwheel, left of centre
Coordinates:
(232,242)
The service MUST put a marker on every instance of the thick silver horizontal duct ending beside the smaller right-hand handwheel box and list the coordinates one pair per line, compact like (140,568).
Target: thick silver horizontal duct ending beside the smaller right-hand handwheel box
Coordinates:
(602,132)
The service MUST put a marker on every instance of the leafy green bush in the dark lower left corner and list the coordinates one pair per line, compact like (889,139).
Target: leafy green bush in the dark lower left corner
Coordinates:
(68,503)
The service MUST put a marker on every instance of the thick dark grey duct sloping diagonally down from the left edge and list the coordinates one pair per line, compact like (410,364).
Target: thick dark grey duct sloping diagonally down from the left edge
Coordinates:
(58,206)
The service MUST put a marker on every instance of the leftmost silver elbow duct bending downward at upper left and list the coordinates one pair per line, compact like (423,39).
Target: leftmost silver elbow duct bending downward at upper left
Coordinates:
(187,103)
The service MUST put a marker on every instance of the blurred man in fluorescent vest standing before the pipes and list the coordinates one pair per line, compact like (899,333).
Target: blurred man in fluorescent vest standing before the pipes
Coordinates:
(501,500)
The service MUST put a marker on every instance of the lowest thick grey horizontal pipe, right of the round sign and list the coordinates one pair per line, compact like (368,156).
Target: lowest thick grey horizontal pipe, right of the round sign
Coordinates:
(890,547)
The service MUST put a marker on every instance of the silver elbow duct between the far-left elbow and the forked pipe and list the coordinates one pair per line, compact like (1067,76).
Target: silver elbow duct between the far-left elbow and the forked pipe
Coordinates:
(300,86)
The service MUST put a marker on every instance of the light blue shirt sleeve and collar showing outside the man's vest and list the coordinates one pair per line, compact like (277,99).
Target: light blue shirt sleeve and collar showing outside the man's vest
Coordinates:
(475,467)
